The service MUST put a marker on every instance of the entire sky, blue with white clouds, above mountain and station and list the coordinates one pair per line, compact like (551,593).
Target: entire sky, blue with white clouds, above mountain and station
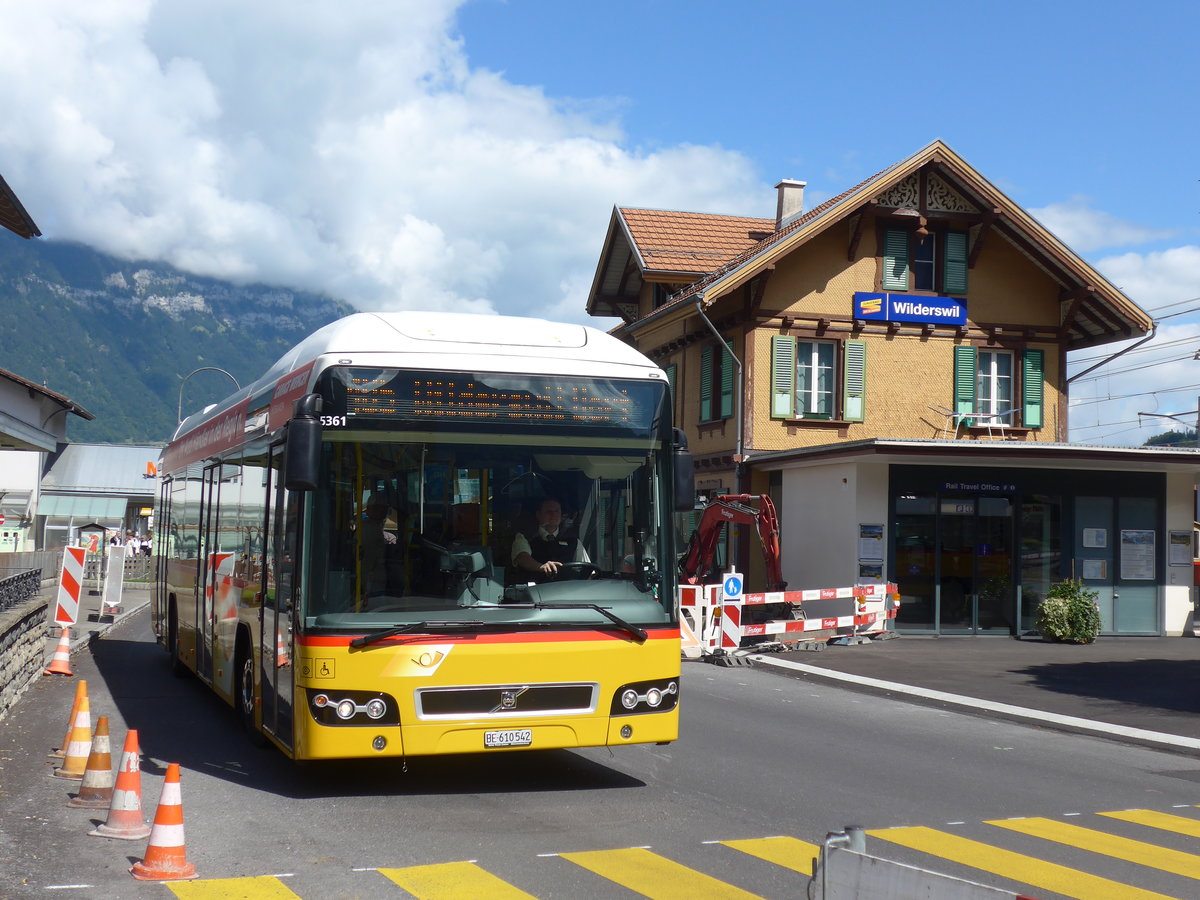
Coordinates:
(467,154)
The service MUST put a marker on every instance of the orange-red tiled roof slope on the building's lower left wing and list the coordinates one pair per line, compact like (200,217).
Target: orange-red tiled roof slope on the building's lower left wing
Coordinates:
(697,243)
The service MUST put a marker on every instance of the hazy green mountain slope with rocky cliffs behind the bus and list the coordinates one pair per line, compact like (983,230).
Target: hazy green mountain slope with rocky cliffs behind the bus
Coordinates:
(119,338)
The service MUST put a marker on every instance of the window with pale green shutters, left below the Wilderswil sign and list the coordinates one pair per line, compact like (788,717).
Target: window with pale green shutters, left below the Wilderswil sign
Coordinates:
(808,383)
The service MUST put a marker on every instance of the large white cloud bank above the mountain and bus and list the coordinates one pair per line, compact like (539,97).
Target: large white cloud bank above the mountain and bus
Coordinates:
(351,149)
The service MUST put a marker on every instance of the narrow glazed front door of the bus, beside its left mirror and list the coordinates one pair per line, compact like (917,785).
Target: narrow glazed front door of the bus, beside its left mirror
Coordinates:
(277,647)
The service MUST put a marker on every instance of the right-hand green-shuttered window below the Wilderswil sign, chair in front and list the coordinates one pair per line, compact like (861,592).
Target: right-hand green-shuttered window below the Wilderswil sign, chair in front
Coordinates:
(991,387)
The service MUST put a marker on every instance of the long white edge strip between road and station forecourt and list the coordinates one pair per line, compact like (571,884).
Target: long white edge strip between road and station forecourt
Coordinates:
(1157,740)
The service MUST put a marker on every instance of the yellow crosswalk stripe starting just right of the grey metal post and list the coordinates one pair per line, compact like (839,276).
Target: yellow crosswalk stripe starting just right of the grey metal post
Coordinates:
(1018,867)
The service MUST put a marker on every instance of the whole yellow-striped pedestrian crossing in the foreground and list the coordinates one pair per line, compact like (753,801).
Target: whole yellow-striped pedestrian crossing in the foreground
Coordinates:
(1135,855)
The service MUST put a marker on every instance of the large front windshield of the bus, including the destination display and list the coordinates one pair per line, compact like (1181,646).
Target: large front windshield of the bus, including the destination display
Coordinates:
(437,490)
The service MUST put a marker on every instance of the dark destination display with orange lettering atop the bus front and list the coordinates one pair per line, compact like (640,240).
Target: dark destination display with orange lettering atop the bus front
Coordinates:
(493,399)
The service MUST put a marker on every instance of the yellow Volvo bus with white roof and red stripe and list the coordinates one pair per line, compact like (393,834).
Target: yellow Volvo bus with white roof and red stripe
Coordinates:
(349,549)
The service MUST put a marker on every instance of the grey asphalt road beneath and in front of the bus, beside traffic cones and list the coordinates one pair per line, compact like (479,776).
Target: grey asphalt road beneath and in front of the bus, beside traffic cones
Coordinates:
(761,755)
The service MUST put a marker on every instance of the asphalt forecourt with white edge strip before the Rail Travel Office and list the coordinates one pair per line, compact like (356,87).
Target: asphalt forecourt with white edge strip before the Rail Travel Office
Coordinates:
(1142,689)
